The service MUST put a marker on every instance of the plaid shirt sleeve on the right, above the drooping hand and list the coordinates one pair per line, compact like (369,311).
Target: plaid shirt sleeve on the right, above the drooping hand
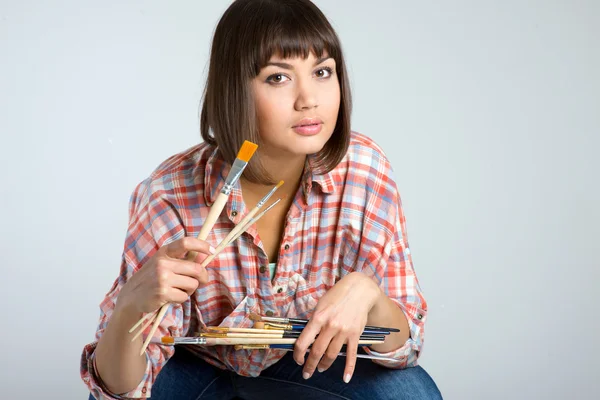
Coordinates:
(387,258)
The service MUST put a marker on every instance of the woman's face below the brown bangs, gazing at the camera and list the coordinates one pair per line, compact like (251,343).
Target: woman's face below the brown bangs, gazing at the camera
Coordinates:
(297,103)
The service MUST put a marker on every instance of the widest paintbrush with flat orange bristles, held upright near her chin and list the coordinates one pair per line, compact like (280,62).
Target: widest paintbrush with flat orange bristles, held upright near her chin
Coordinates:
(243,157)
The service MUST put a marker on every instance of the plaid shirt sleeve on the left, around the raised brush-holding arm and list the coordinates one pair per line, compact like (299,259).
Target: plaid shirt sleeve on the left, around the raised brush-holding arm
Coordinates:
(153,222)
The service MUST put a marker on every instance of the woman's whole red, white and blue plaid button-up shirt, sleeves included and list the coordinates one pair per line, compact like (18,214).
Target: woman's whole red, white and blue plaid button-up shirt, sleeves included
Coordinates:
(349,219)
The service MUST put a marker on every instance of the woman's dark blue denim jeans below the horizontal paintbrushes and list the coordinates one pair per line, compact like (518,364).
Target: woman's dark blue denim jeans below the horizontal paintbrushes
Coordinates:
(185,376)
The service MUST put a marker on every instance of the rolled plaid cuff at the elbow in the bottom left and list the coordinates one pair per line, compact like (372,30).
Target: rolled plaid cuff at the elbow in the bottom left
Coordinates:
(98,388)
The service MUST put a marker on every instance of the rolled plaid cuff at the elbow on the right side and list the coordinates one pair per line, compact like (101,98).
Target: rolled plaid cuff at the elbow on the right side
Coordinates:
(407,355)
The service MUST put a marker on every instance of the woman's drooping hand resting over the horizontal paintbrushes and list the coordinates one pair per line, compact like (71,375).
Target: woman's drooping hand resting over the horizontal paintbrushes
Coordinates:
(340,318)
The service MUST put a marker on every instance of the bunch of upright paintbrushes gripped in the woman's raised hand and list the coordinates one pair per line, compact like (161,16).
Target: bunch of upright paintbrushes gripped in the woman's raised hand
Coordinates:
(240,163)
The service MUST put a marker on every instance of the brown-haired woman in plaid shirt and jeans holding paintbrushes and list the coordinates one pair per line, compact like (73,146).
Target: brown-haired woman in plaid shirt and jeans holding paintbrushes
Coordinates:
(334,250)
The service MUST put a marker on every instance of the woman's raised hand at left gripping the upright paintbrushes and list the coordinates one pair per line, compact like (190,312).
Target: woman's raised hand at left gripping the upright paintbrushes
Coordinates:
(167,277)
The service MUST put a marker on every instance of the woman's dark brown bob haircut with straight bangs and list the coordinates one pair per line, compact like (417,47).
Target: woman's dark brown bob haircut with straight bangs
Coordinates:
(249,33)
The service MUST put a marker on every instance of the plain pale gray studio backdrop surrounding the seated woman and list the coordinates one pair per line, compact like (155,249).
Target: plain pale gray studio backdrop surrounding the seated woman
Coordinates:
(489,112)
